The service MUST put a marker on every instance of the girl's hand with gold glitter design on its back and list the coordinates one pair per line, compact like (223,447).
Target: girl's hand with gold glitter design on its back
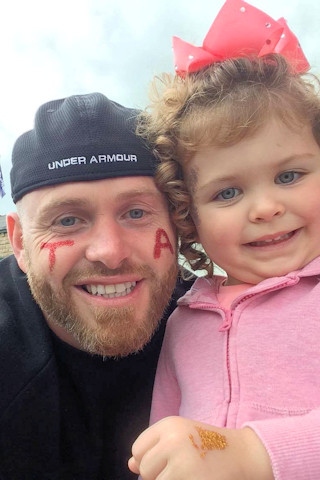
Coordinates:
(176,448)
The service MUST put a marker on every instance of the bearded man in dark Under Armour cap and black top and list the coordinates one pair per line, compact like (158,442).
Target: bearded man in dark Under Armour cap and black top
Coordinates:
(94,267)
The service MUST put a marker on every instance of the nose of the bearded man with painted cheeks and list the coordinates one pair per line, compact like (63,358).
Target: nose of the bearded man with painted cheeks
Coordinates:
(109,244)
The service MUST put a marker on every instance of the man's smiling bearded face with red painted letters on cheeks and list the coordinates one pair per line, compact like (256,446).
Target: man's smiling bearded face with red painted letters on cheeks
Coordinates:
(101,261)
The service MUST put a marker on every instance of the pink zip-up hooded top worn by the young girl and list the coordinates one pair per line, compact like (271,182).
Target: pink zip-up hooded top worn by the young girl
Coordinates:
(257,364)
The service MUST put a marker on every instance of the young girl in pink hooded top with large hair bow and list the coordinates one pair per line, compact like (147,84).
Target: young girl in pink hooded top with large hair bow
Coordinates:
(239,143)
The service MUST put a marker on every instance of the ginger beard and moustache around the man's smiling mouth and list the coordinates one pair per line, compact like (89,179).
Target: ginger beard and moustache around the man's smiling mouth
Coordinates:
(118,331)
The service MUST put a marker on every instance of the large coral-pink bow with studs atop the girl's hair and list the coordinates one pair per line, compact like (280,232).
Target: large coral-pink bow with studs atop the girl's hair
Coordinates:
(240,30)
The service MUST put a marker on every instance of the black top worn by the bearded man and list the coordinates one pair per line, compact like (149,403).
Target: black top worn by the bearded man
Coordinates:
(65,414)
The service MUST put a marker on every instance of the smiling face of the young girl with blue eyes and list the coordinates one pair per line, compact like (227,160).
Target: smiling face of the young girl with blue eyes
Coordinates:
(257,203)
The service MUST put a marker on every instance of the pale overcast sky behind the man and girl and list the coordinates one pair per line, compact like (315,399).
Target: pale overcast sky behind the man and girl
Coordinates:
(50,50)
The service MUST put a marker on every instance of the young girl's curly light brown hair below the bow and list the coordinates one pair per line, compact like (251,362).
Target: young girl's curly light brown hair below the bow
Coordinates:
(219,106)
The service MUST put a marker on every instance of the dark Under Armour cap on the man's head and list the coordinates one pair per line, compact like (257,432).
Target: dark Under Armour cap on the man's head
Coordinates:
(79,138)
